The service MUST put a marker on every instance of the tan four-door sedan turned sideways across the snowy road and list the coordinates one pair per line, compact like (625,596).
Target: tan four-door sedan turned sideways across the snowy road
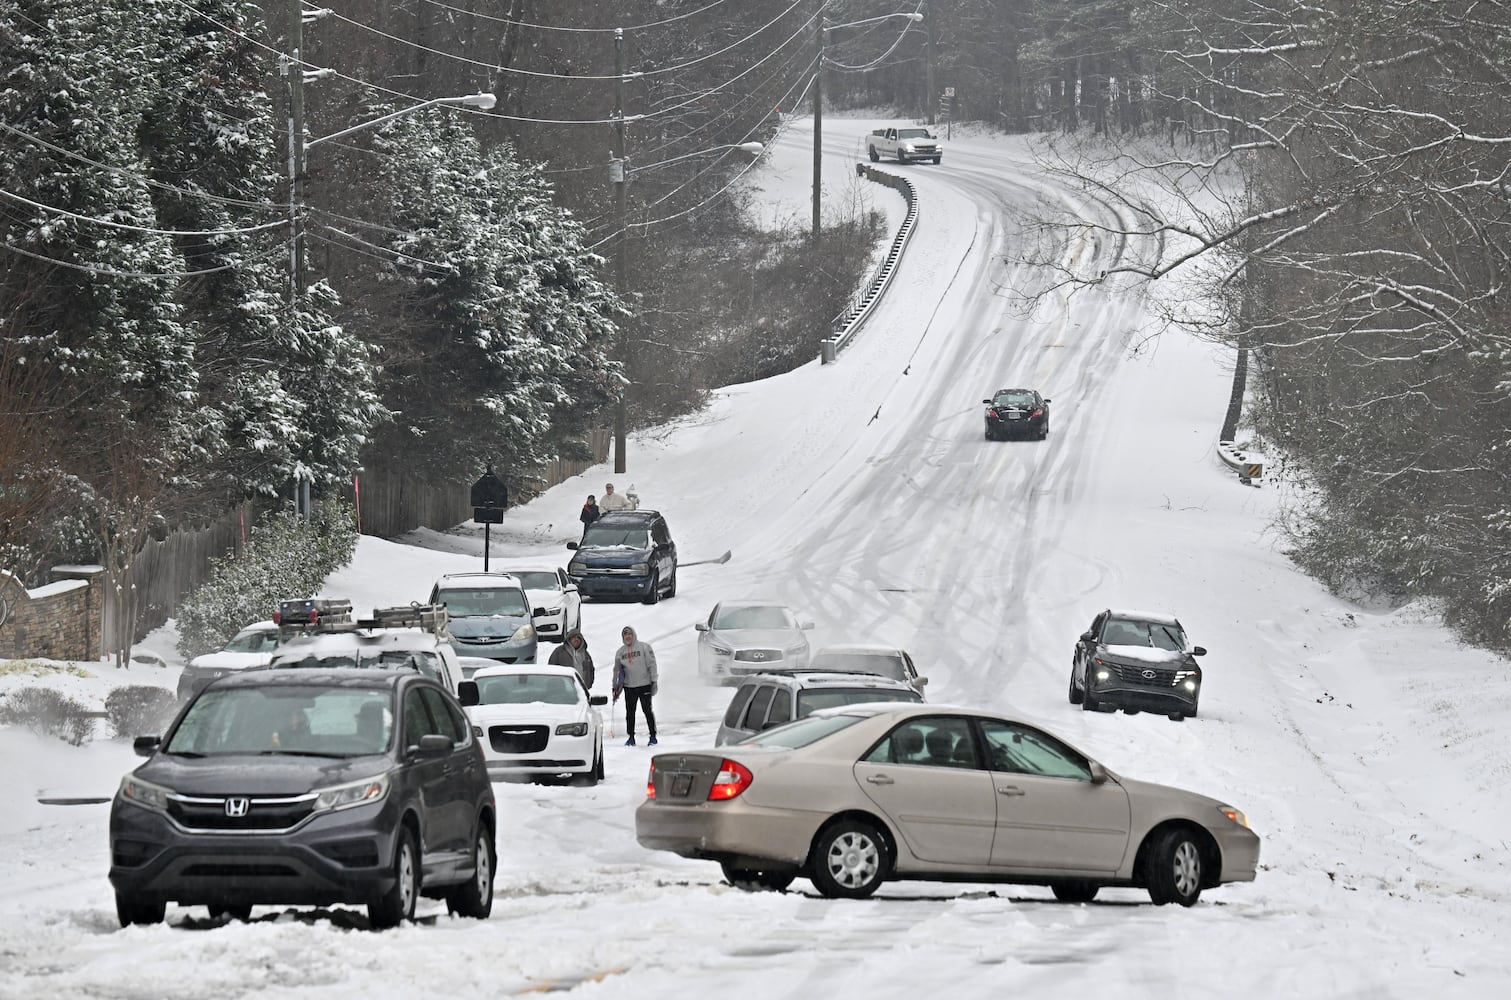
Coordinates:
(854,797)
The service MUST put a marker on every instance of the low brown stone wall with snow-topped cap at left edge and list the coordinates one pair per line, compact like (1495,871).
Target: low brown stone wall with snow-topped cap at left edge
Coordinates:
(57,622)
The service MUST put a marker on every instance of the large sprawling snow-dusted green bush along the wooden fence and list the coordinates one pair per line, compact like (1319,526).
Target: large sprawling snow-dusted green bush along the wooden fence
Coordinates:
(286,558)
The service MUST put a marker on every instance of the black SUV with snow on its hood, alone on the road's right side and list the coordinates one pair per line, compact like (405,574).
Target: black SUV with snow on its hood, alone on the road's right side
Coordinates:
(1137,662)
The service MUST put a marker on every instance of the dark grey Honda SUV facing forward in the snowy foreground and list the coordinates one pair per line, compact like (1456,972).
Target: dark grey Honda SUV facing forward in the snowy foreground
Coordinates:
(307,788)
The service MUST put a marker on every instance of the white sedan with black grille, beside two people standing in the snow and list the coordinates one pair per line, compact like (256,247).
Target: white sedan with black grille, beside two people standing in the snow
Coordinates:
(536,723)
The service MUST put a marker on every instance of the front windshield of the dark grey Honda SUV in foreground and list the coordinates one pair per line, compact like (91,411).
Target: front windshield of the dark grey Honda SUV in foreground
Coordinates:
(297,720)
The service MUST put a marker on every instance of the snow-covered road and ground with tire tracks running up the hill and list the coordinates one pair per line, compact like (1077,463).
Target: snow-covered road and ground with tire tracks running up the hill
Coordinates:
(1367,745)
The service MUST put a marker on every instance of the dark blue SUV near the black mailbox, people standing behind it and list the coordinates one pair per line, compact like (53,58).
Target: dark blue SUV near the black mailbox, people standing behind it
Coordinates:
(626,555)
